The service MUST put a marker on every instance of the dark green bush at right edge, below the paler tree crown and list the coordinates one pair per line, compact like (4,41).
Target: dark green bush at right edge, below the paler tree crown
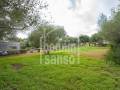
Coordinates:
(114,54)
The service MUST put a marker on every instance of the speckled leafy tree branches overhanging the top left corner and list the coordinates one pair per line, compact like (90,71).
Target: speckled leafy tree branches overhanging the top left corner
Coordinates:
(17,15)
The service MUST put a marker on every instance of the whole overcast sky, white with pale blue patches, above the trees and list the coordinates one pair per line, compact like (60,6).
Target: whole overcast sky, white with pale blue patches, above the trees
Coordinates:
(78,16)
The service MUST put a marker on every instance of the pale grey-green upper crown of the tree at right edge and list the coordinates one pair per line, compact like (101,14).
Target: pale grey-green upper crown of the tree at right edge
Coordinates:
(111,29)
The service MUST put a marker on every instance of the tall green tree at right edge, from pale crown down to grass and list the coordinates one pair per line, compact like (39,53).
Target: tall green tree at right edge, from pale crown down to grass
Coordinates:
(111,32)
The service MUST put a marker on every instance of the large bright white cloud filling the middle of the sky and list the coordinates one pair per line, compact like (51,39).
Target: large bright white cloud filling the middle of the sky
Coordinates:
(79,20)
